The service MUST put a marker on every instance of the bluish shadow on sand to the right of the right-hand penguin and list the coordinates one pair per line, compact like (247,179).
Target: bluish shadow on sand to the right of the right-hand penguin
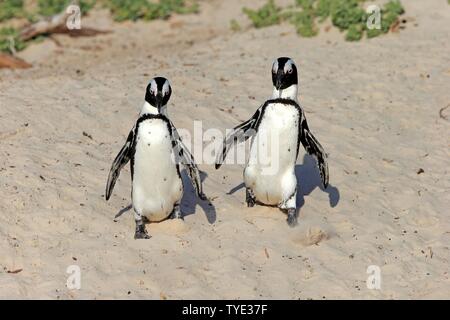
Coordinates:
(308,179)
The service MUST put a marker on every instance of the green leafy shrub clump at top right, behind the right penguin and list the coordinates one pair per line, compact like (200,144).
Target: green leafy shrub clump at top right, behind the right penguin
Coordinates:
(348,16)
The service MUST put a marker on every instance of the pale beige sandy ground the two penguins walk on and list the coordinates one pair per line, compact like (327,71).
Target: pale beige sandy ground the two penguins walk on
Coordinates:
(374,106)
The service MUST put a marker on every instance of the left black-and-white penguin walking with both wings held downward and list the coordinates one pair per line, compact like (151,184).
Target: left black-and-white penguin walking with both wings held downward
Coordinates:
(155,152)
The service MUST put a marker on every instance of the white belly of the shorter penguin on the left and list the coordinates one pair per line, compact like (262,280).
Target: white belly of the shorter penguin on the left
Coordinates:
(156,183)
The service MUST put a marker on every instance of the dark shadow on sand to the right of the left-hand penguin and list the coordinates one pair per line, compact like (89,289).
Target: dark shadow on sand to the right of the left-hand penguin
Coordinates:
(190,199)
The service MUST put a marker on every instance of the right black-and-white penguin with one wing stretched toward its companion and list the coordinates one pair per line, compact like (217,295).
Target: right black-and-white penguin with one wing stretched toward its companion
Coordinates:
(279,126)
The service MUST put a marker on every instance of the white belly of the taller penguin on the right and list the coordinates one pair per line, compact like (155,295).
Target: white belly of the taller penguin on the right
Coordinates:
(270,171)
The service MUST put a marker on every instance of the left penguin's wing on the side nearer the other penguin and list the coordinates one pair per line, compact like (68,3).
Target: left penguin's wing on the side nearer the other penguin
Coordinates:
(188,161)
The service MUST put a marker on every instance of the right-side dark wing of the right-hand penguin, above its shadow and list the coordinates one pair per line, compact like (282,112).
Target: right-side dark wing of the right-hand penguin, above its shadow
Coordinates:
(314,148)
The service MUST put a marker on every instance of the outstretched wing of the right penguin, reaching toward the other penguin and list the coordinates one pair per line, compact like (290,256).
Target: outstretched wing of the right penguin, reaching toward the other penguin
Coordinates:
(239,134)
